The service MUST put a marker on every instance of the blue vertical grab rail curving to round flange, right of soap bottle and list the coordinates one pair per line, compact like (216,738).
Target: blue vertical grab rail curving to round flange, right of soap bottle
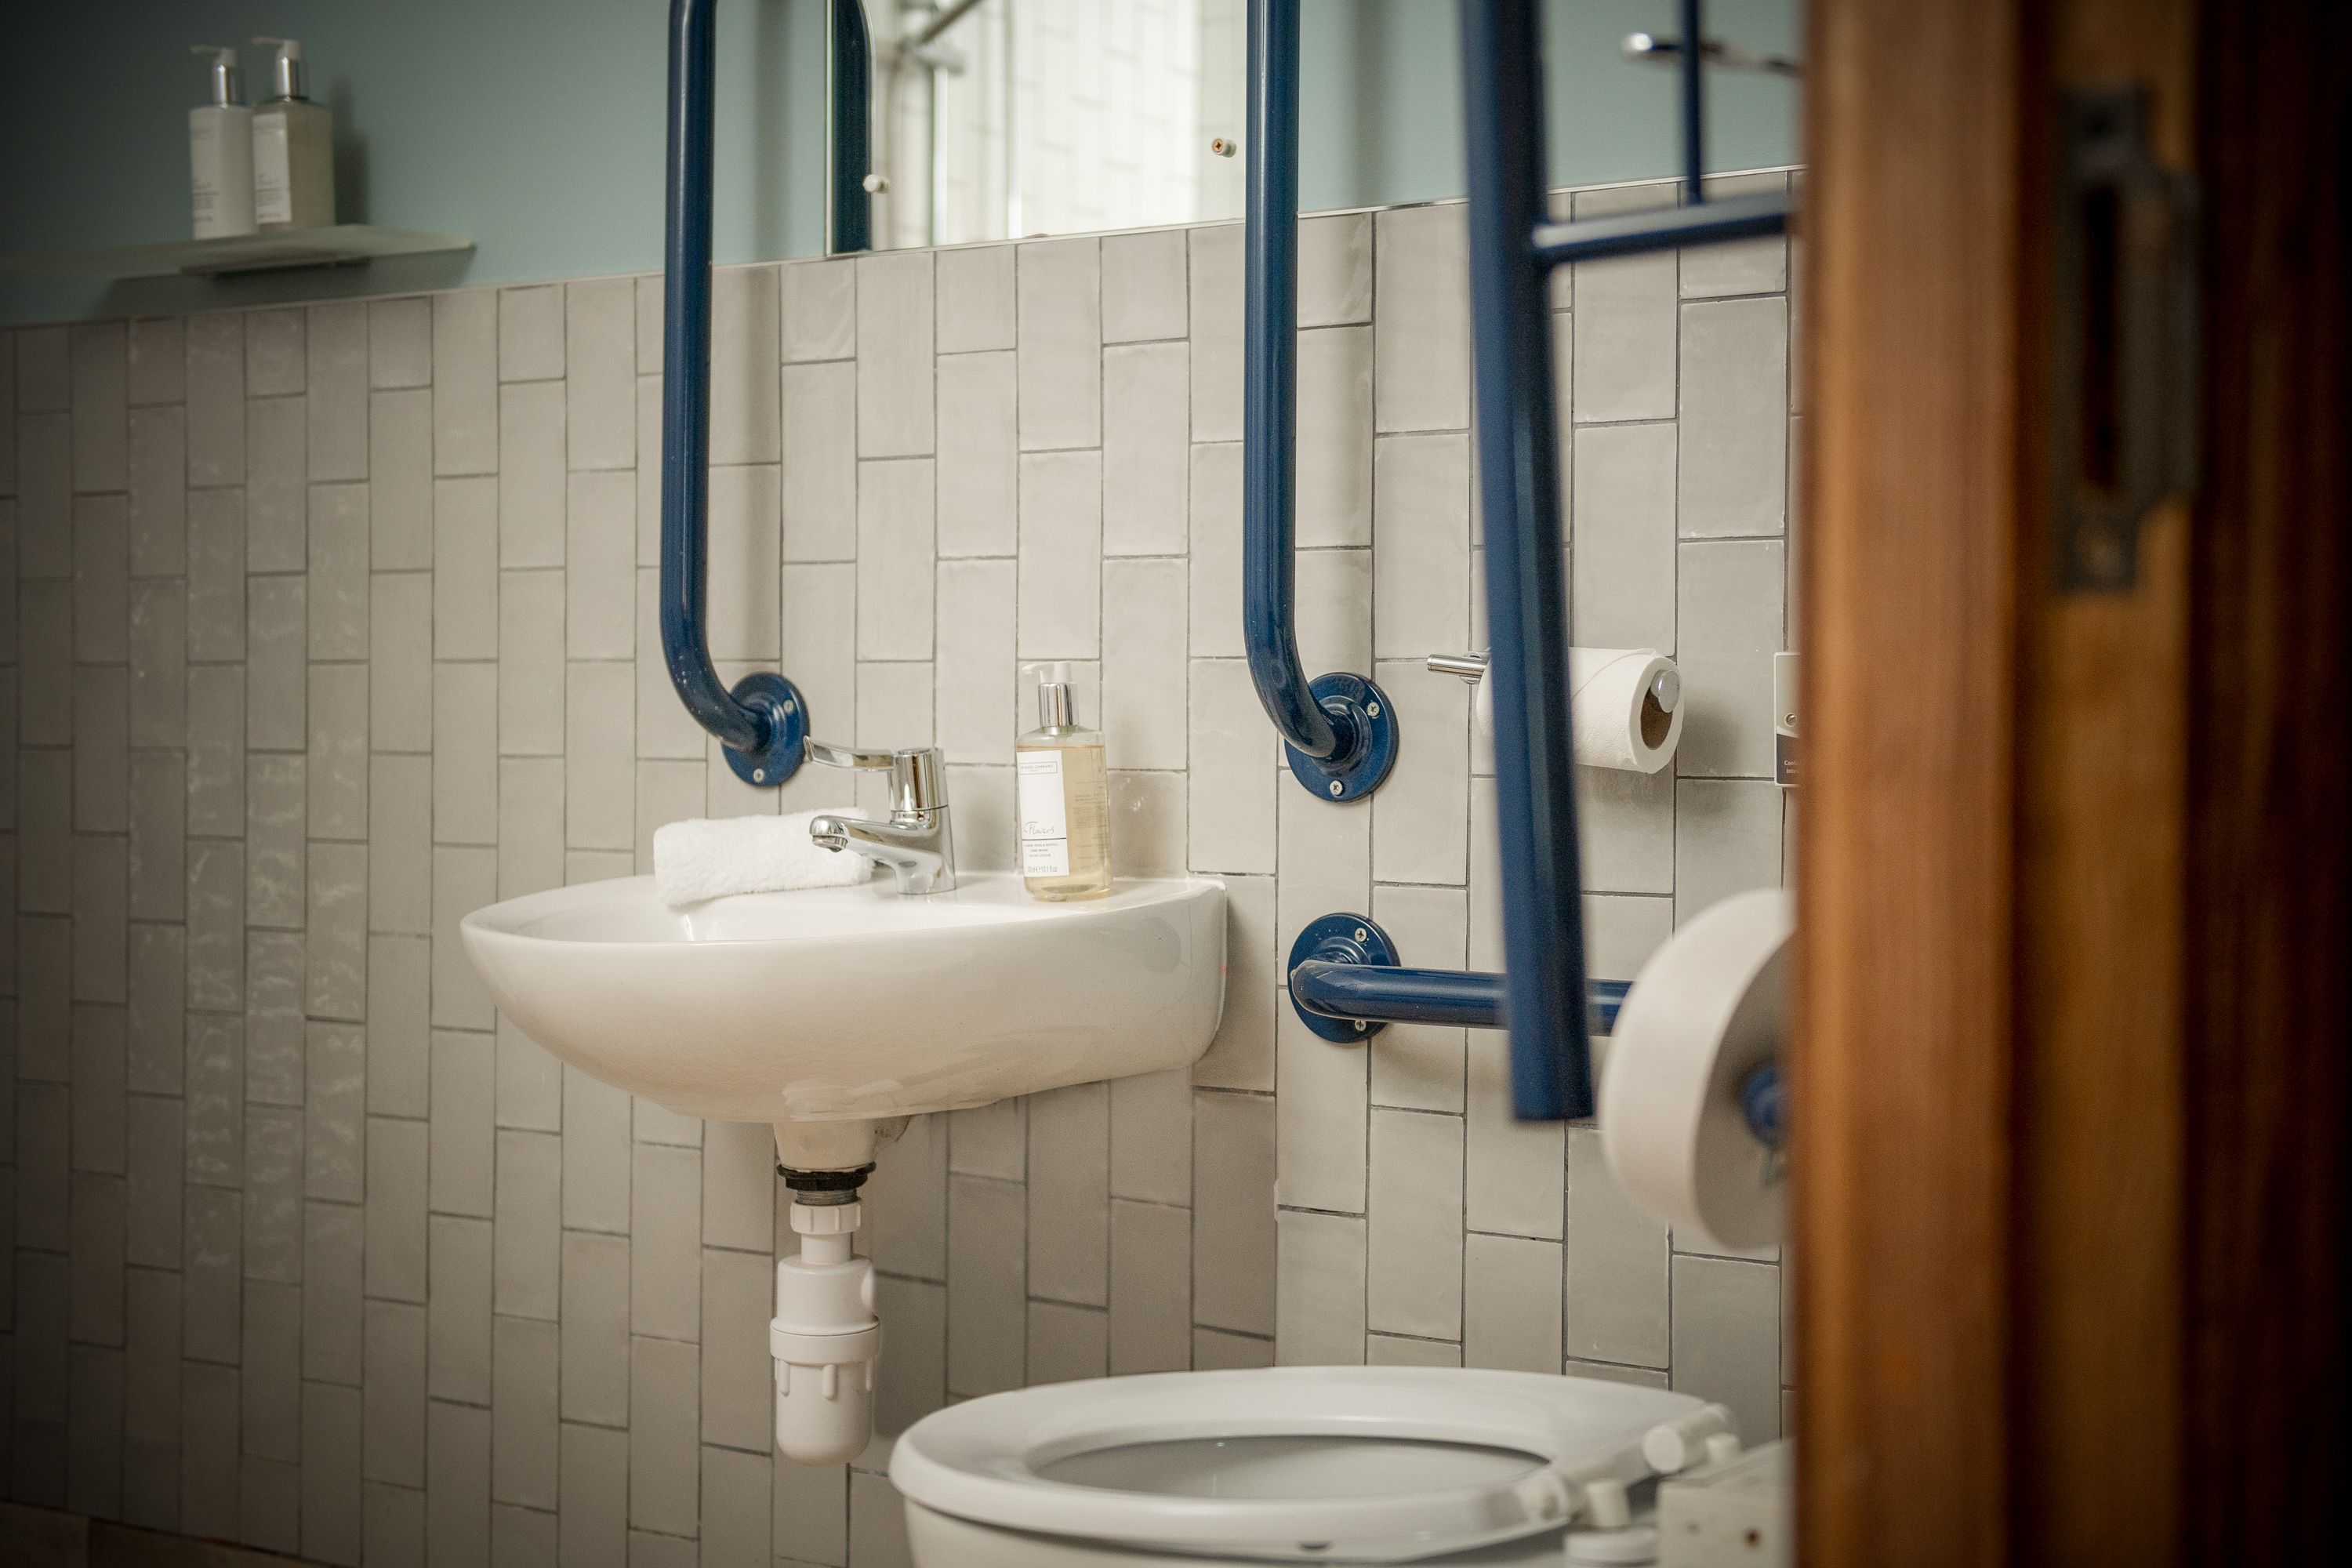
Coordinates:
(1339,730)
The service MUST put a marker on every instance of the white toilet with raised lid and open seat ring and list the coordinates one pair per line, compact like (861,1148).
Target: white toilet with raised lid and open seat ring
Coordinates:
(1299,1466)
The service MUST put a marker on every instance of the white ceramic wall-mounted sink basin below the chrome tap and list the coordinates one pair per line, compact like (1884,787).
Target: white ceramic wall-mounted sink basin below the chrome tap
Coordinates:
(857,1005)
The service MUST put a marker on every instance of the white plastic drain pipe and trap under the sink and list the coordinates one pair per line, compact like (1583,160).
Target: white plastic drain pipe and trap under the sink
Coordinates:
(824,1336)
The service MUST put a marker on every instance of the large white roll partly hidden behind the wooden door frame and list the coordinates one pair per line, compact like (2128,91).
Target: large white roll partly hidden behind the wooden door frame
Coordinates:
(1704,1014)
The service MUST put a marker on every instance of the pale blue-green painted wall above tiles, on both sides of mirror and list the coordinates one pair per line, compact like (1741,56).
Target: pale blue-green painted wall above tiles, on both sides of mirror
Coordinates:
(535,126)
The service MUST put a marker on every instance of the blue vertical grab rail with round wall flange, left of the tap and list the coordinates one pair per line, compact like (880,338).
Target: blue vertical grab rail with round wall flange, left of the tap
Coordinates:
(763,723)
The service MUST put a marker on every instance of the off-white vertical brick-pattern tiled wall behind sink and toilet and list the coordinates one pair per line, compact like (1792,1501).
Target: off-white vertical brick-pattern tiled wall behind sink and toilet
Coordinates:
(323,626)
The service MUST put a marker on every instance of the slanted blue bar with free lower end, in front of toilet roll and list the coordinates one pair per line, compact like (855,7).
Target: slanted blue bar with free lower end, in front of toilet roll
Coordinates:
(1528,591)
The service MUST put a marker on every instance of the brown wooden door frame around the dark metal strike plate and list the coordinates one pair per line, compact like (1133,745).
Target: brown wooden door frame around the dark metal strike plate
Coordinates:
(2069,1064)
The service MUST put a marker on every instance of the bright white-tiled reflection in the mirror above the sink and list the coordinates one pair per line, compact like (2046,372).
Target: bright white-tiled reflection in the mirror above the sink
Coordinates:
(998,119)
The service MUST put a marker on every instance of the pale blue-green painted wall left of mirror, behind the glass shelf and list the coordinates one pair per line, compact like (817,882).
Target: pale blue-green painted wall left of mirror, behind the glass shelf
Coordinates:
(528,126)
